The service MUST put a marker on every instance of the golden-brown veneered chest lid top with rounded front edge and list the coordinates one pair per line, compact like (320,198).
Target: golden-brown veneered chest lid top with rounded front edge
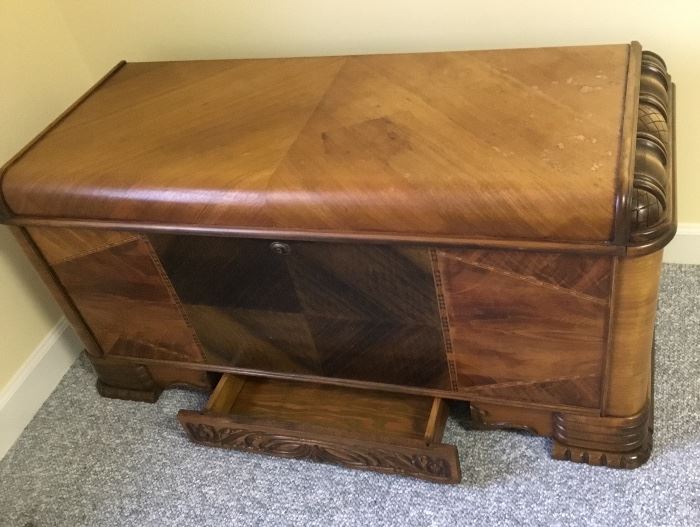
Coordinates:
(510,145)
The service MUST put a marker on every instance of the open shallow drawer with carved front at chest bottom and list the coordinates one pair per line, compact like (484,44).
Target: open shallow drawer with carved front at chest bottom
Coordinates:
(381,431)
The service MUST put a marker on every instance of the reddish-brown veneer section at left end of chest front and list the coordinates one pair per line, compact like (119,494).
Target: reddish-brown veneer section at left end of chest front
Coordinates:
(115,281)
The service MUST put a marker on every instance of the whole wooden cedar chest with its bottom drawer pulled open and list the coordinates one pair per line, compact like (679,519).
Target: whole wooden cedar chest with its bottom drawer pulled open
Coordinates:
(345,243)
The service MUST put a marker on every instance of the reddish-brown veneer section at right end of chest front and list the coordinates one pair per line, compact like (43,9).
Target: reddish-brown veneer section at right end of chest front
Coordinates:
(529,327)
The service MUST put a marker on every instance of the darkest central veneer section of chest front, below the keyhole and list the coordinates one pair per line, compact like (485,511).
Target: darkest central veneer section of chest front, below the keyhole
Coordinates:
(343,311)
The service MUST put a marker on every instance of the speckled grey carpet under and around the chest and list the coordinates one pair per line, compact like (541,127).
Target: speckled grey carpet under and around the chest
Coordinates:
(88,461)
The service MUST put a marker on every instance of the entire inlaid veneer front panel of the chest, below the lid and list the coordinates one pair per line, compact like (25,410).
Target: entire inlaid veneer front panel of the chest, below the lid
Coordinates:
(502,325)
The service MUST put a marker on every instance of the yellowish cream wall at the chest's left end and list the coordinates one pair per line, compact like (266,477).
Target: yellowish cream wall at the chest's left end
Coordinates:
(43,72)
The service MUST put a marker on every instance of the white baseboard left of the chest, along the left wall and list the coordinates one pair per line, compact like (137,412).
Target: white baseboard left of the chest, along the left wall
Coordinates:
(35,380)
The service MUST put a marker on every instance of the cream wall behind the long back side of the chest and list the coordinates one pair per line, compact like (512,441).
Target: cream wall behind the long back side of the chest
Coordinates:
(140,30)
